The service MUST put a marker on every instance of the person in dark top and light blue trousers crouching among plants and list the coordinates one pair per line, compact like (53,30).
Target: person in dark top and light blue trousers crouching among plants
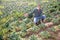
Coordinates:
(38,15)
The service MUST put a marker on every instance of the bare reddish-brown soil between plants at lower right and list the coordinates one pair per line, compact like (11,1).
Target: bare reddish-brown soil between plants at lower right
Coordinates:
(48,25)
